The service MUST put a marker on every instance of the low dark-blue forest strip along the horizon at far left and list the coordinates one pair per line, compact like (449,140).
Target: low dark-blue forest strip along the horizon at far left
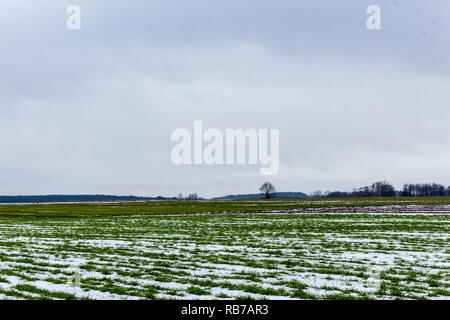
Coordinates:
(75,198)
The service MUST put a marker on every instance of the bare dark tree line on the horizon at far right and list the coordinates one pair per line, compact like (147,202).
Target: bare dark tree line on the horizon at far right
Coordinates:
(385,189)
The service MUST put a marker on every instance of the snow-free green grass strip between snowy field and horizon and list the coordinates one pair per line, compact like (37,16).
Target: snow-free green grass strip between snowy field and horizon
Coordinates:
(186,207)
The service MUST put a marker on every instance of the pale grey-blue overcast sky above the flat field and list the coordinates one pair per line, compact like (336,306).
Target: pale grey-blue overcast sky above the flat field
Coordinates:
(92,110)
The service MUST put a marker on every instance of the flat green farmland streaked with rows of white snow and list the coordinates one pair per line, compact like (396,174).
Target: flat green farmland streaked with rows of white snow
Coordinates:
(302,249)
